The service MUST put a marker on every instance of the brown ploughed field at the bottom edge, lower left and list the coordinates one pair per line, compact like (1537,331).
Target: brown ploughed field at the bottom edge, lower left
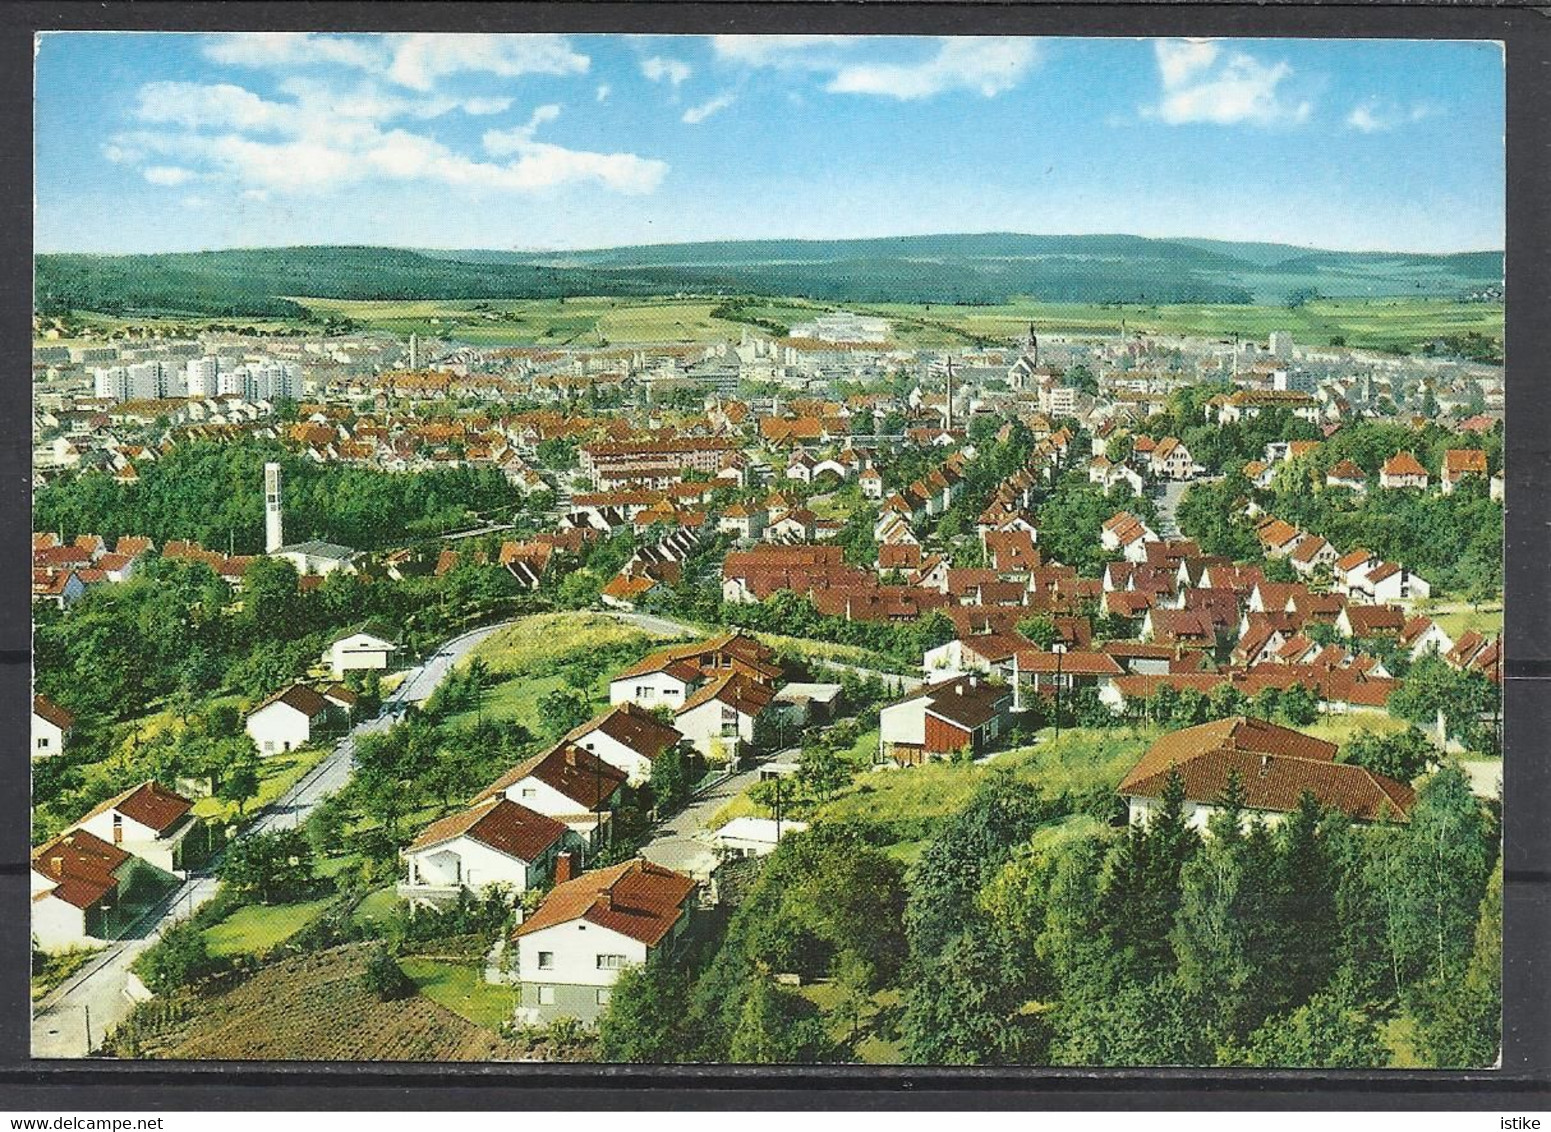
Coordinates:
(314,1007)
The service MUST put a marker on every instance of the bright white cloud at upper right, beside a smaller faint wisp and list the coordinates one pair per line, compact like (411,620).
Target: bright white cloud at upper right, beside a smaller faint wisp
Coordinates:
(1206,85)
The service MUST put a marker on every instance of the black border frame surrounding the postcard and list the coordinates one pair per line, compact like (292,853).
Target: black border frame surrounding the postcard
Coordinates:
(1525,1077)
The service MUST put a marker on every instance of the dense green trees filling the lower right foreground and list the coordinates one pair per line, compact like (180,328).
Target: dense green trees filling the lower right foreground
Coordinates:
(1032,933)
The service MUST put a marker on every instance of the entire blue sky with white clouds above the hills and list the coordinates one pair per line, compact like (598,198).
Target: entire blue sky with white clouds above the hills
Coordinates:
(179,142)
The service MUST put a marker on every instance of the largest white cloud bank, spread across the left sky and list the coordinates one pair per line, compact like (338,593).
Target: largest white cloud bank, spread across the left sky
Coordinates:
(325,140)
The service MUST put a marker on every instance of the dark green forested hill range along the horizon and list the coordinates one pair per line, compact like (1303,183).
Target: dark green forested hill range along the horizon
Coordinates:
(965,269)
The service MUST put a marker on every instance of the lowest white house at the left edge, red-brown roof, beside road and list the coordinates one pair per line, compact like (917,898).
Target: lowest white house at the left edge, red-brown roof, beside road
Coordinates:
(78,885)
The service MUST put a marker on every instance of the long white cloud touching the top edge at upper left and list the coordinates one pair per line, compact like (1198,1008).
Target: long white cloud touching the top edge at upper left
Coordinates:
(416,60)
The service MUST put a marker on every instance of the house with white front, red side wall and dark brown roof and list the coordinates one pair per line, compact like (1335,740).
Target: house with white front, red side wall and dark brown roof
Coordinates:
(944,719)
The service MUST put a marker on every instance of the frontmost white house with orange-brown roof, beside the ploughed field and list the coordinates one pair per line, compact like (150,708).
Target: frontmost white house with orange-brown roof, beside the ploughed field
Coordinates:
(568,954)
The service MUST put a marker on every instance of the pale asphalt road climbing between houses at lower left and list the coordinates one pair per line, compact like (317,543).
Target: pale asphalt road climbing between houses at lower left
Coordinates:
(95,999)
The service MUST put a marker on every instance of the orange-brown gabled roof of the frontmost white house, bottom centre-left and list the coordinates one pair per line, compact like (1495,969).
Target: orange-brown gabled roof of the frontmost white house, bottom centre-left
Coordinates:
(635,899)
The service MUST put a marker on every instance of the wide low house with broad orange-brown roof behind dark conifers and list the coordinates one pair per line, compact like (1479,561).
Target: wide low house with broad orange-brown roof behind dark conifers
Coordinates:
(1274,767)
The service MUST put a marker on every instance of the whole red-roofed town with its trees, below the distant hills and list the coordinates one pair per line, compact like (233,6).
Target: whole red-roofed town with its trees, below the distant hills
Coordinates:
(751,700)
